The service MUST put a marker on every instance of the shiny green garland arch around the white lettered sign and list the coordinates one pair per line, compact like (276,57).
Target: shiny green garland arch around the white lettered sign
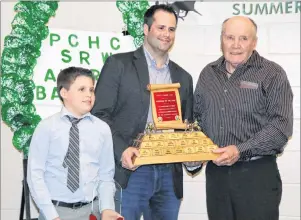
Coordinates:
(21,52)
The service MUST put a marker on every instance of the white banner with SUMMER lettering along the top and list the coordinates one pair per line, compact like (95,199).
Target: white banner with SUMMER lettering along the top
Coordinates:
(214,13)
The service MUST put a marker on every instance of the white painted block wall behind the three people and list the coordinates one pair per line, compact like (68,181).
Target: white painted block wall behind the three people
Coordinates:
(196,45)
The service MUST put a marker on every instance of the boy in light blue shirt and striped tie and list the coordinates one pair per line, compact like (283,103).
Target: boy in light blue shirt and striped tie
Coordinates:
(70,159)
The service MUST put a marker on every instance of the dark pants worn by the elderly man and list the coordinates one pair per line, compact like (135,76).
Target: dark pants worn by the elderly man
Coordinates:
(248,190)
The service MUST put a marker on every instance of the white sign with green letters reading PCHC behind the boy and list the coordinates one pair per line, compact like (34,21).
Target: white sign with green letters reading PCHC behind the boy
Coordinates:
(64,48)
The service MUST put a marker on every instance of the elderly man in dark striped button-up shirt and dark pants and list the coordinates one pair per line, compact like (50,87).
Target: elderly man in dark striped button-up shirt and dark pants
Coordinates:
(243,102)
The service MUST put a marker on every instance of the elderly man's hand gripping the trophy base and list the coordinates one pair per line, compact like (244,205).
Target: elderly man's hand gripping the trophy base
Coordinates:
(228,155)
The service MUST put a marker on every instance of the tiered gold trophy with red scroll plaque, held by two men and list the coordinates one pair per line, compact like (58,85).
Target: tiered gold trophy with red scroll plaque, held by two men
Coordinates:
(160,143)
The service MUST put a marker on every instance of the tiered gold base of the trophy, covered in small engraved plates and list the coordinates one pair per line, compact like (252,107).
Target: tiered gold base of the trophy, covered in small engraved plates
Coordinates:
(169,148)
